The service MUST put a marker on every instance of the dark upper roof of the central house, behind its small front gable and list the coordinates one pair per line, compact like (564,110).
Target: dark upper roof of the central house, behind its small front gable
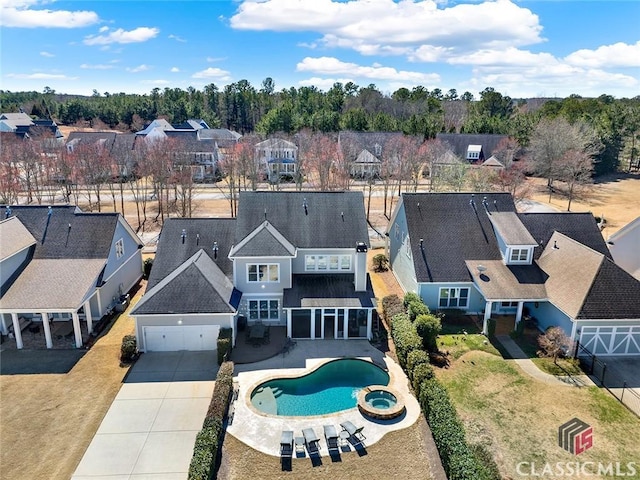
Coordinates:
(314,226)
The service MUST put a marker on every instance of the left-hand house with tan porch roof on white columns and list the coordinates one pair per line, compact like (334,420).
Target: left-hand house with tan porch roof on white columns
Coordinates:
(62,270)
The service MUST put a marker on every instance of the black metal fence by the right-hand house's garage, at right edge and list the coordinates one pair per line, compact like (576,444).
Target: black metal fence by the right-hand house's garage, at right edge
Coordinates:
(609,378)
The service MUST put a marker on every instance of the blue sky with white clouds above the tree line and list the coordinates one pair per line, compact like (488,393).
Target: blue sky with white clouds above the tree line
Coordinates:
(549,48)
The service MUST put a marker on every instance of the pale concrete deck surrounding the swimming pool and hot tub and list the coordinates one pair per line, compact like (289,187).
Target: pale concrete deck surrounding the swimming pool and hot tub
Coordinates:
(262,432)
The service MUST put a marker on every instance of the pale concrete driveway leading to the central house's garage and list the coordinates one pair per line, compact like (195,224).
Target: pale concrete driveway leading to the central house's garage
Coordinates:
(151,426)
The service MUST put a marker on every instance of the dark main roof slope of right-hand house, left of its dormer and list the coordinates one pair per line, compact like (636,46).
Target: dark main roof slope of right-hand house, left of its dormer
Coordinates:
(453,231)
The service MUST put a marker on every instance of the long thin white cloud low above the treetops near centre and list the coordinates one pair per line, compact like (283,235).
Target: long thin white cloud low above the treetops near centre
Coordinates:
(332,66)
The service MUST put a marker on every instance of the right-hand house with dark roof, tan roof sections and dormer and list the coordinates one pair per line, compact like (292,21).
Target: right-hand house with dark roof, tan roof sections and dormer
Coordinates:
(477,254)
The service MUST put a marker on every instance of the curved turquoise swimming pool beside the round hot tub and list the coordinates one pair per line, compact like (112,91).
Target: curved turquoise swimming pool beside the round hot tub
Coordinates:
(331,388)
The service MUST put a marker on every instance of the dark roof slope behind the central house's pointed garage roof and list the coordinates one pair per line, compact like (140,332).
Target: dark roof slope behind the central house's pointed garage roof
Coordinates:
(201,234)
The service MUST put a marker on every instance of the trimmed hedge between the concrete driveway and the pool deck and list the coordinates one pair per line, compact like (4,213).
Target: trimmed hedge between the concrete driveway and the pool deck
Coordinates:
(205,452)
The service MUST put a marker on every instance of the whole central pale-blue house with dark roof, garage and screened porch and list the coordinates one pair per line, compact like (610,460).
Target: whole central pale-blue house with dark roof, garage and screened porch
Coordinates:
(290,259)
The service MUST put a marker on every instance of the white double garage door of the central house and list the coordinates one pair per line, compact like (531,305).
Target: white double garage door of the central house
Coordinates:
(175,338)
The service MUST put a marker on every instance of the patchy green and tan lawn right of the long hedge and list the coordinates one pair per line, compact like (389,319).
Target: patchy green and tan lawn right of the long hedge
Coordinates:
(517,417)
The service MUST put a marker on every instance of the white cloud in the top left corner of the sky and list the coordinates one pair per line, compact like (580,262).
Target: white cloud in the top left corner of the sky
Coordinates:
(26,14)
